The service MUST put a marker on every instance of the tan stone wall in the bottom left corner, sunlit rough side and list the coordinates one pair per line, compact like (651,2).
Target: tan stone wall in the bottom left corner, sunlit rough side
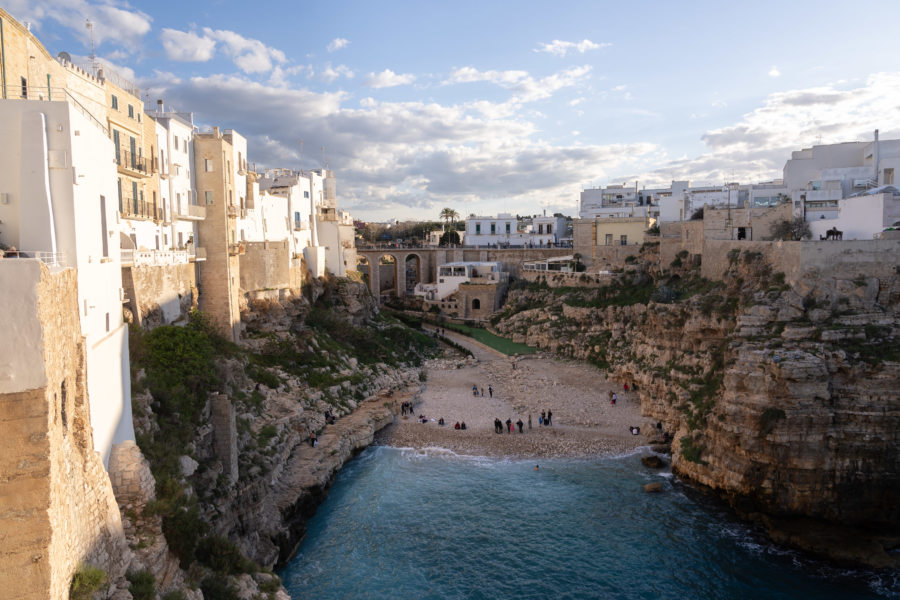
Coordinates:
(58,508)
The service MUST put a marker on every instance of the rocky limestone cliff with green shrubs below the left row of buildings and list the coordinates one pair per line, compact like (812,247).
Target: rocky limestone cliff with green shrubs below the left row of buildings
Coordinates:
(228,428)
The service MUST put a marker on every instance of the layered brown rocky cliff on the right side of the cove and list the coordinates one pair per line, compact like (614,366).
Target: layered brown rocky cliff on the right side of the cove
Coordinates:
(783,399)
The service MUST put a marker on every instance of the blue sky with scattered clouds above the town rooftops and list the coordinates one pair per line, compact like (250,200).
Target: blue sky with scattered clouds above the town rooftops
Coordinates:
(503,106)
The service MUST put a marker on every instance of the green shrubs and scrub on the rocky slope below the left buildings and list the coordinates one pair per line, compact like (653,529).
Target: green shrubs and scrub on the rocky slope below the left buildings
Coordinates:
(317,355)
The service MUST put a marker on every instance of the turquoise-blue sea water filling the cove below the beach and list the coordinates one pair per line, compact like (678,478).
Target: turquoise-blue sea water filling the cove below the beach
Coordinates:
(430,524)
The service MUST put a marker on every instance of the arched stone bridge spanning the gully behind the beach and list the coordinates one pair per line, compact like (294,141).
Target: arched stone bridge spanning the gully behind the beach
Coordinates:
(424,262)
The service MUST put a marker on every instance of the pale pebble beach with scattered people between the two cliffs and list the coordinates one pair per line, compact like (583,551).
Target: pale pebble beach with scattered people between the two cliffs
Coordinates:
(584,423)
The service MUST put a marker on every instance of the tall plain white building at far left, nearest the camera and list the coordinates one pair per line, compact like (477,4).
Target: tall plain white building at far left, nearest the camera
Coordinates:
(58,202)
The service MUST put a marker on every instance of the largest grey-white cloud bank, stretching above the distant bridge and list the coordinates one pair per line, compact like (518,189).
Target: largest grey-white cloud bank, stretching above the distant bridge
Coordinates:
(398,156)
